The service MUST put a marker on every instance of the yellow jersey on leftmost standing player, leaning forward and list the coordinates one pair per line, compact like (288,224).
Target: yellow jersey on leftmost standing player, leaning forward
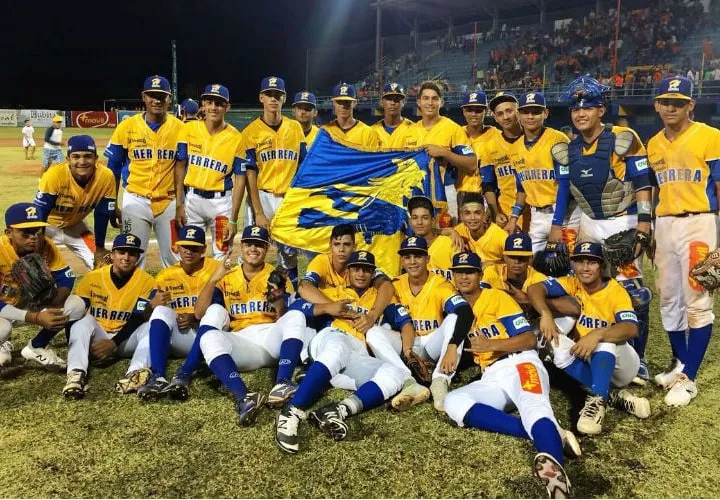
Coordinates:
(64,202)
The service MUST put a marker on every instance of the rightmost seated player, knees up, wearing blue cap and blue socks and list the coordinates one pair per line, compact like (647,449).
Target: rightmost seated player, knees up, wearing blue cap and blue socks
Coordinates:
(600,356)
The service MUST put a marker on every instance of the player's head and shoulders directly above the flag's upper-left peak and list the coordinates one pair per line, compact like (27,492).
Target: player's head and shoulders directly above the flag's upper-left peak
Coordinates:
(345,127)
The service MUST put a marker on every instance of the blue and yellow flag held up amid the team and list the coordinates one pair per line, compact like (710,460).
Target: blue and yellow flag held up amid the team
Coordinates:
(337,184)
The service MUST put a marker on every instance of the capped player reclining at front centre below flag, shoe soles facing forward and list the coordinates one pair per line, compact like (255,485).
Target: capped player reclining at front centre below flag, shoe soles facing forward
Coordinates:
(340,358)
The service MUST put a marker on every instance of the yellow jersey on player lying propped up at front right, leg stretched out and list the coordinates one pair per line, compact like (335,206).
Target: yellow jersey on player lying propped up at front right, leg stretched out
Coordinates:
(497,317)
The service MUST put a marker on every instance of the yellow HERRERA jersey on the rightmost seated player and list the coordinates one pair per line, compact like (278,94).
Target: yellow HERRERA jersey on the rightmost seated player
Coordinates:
(609,305)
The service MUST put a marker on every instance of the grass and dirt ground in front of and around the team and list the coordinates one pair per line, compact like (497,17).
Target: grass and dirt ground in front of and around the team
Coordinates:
(112,446)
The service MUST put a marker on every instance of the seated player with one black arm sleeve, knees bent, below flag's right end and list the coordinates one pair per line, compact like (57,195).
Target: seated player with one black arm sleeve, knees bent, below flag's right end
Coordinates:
(441,320)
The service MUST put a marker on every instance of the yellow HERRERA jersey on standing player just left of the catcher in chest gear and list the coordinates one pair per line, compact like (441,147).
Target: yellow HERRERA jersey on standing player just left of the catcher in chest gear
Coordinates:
(535,169)
